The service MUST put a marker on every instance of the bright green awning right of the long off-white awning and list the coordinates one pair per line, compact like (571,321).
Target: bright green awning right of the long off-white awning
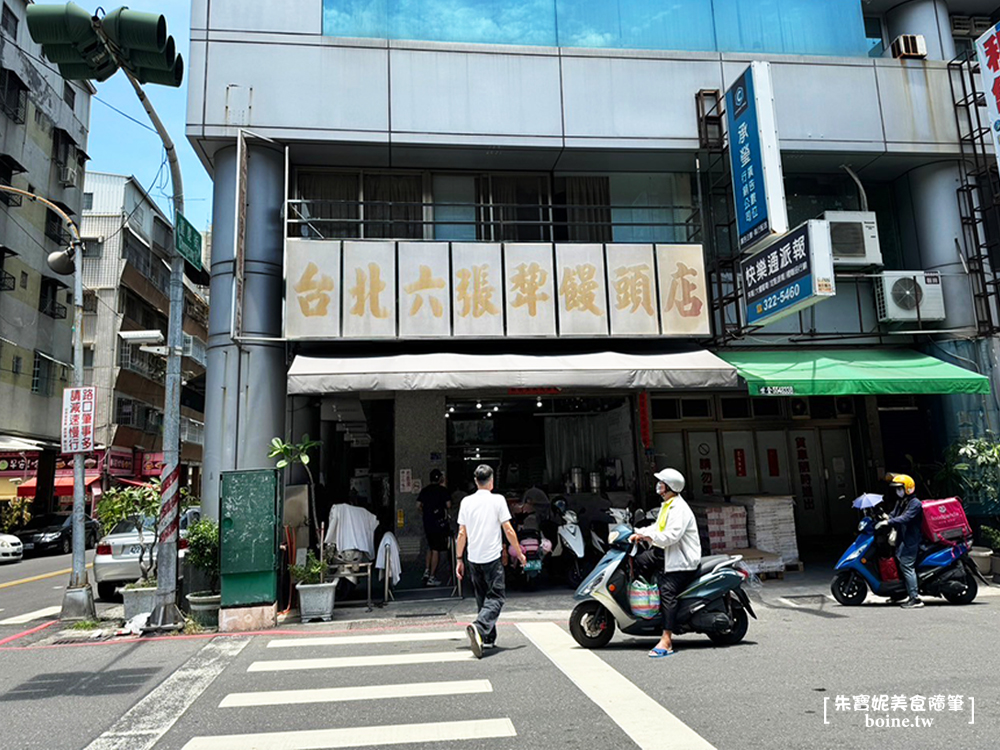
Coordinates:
(854,372)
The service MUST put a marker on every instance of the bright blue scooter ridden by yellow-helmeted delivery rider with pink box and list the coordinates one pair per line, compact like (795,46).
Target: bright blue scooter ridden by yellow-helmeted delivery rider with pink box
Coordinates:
(942,570)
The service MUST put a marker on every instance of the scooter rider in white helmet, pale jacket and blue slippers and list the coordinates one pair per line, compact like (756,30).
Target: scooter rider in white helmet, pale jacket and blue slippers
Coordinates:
(675,532)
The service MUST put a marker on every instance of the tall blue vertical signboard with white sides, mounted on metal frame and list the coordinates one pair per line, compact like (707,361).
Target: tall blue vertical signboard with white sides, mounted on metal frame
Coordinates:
(754,157)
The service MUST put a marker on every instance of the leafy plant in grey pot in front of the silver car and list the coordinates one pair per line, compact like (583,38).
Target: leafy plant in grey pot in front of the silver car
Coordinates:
(135,505)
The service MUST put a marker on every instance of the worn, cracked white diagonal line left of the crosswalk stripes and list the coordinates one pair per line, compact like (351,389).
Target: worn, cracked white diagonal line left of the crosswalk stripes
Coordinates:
(142,726)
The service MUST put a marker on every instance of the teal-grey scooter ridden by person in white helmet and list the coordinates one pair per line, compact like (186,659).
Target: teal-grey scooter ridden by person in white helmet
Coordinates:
(714,604)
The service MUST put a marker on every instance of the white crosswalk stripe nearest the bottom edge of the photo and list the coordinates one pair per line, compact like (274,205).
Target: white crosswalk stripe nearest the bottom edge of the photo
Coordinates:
(366,736)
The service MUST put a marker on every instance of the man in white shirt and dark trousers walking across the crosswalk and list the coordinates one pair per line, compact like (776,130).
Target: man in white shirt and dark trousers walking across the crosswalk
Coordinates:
(481,518)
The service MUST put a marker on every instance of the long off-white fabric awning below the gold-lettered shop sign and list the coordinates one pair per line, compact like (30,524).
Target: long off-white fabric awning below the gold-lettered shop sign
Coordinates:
(443,371)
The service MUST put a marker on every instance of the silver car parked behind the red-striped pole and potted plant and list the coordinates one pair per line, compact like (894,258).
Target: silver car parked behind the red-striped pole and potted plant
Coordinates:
(116,562)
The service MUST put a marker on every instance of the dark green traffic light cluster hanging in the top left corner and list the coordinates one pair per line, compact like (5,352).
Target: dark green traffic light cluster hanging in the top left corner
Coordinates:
(75,41)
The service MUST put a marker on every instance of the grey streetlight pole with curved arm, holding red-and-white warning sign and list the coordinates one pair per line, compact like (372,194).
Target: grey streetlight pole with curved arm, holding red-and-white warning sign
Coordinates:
(78,601)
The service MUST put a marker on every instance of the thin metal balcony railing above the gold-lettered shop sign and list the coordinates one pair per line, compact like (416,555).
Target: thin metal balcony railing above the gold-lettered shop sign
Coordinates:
(523,222)
